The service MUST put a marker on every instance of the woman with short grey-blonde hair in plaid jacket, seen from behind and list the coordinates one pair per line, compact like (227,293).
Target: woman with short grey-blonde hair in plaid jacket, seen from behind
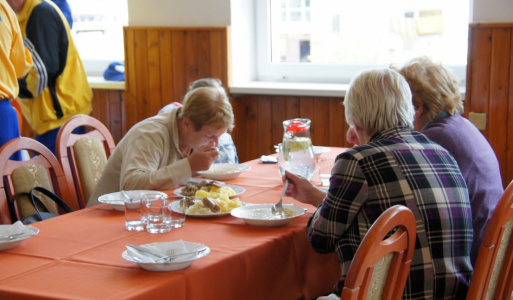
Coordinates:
(393,165)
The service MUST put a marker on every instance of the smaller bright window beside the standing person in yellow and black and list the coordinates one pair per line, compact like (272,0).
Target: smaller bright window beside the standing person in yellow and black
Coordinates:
(98,32)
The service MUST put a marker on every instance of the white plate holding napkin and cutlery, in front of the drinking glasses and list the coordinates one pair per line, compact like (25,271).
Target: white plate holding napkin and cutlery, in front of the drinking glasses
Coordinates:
(187,254)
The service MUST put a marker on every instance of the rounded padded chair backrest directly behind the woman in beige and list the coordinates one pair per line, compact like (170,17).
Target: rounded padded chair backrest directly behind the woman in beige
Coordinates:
(83,156)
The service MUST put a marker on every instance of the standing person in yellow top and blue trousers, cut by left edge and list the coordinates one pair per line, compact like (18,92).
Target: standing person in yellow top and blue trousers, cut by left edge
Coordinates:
(15,62)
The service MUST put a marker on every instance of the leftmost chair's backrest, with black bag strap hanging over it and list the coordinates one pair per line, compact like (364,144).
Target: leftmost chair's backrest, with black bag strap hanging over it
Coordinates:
(41,169)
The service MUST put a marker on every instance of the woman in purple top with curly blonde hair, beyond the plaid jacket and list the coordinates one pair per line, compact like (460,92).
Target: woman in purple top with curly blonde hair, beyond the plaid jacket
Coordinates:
(438,108)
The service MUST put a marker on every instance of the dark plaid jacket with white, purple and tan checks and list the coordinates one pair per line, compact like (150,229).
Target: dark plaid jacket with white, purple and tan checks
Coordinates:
(401,166)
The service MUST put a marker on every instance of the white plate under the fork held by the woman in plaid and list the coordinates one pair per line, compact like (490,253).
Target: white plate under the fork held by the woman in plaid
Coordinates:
(261,215)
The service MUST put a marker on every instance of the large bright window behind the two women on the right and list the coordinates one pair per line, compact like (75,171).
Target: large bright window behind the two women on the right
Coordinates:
(332,40)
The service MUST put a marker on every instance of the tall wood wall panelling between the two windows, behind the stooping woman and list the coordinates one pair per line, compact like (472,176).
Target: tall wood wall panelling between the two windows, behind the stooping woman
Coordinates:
(161,62)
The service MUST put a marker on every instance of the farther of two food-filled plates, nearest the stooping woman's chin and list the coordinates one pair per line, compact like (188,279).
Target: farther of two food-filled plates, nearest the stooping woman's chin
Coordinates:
(209,189)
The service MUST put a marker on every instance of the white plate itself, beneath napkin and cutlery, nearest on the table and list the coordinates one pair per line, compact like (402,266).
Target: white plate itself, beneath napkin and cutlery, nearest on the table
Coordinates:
(174,265)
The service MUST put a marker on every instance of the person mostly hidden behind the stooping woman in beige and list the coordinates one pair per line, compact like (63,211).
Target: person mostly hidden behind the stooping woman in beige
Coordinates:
(226,147)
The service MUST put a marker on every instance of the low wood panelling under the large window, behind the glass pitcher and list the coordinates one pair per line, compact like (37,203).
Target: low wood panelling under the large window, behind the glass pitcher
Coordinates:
(259,122)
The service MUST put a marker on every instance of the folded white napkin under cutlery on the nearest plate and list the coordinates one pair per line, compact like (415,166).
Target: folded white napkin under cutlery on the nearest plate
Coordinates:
(165,249)
